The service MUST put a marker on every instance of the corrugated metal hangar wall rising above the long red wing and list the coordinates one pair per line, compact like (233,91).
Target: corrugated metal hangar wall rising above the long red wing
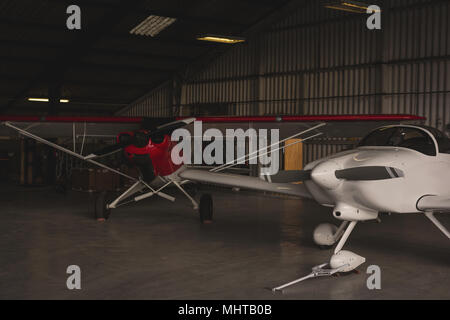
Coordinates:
(325,61)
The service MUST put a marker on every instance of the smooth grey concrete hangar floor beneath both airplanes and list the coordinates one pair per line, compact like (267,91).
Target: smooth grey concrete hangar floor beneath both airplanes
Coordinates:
(158,250)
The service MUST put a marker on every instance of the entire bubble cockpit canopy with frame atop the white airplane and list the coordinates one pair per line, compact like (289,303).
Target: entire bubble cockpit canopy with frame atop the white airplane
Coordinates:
(416,138)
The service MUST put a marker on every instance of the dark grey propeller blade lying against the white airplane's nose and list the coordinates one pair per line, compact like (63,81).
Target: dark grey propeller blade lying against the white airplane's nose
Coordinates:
(369,173)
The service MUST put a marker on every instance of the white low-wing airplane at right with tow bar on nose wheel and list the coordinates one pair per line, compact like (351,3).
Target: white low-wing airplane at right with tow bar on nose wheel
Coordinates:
(395,169)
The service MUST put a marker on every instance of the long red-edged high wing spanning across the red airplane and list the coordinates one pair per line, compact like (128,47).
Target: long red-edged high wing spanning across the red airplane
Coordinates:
(68,126)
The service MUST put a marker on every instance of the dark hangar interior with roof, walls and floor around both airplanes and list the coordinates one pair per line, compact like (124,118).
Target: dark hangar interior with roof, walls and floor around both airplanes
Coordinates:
(284,58)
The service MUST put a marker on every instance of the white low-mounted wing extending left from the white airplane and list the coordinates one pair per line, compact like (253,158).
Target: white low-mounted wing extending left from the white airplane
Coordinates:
(246,182)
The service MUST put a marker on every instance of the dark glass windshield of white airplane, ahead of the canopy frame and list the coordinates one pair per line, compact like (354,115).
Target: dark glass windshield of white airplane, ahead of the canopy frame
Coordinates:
(403,137)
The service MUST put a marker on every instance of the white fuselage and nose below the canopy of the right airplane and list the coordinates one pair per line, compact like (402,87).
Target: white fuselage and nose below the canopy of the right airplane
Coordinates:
(423,175)
